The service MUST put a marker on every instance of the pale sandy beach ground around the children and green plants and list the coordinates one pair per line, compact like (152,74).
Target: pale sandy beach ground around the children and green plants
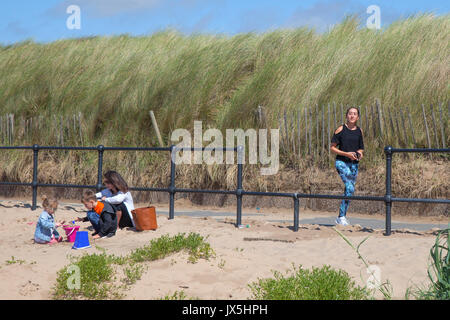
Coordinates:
(29,271)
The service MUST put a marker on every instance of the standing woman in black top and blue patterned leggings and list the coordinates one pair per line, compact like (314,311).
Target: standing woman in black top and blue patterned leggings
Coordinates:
(348,145)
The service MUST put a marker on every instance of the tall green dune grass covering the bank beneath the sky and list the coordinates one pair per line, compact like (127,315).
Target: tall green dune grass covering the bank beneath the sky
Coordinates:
(115,81)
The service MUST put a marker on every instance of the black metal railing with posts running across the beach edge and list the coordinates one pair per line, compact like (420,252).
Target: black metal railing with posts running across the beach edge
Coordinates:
(388,199)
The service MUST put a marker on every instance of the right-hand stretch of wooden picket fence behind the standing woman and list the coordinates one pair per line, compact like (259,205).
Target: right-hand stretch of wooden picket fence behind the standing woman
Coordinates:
(308,130)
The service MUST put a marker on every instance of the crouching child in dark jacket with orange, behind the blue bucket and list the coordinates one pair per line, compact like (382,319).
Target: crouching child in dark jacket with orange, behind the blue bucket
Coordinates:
(101,215)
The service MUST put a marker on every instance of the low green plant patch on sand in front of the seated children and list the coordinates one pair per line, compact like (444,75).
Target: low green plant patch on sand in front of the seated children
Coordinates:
(98,272)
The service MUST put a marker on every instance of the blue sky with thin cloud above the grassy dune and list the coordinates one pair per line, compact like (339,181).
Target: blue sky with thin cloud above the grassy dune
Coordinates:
(45,20)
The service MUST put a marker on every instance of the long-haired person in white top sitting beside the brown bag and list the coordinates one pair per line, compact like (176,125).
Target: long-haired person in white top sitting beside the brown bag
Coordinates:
(119,197)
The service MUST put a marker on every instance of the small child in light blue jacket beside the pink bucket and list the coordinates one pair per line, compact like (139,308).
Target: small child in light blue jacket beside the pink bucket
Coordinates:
(45,232)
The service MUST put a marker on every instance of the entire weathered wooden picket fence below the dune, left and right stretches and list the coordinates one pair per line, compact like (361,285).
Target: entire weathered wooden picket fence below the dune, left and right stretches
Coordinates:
(304,131)
